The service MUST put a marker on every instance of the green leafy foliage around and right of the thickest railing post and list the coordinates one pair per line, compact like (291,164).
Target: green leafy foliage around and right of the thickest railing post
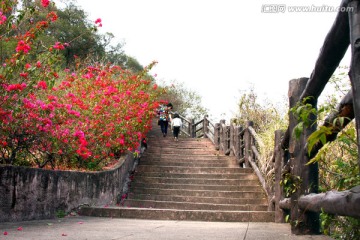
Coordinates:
(338,160)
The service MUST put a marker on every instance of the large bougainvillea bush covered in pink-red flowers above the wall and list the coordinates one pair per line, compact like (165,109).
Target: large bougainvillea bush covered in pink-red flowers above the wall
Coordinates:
(57,118)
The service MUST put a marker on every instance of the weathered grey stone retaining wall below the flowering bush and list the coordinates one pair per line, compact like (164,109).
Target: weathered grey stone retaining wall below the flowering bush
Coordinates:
(30,193)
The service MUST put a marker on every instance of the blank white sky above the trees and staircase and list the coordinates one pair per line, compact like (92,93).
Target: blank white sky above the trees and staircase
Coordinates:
(219,48)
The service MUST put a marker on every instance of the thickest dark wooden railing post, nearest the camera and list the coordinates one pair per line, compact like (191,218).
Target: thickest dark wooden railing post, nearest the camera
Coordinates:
(302,222)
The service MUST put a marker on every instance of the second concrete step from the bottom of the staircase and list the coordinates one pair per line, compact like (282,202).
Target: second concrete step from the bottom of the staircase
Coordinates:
(192,205)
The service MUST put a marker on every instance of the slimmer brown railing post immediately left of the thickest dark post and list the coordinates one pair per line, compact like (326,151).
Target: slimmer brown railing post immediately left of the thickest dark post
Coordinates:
(279,164)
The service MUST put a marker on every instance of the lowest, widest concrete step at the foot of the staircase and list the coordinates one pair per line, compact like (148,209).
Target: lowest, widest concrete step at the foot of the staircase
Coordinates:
(176,214)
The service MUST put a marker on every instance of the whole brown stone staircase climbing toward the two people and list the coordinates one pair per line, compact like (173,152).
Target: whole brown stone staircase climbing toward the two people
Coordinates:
(189,180)
